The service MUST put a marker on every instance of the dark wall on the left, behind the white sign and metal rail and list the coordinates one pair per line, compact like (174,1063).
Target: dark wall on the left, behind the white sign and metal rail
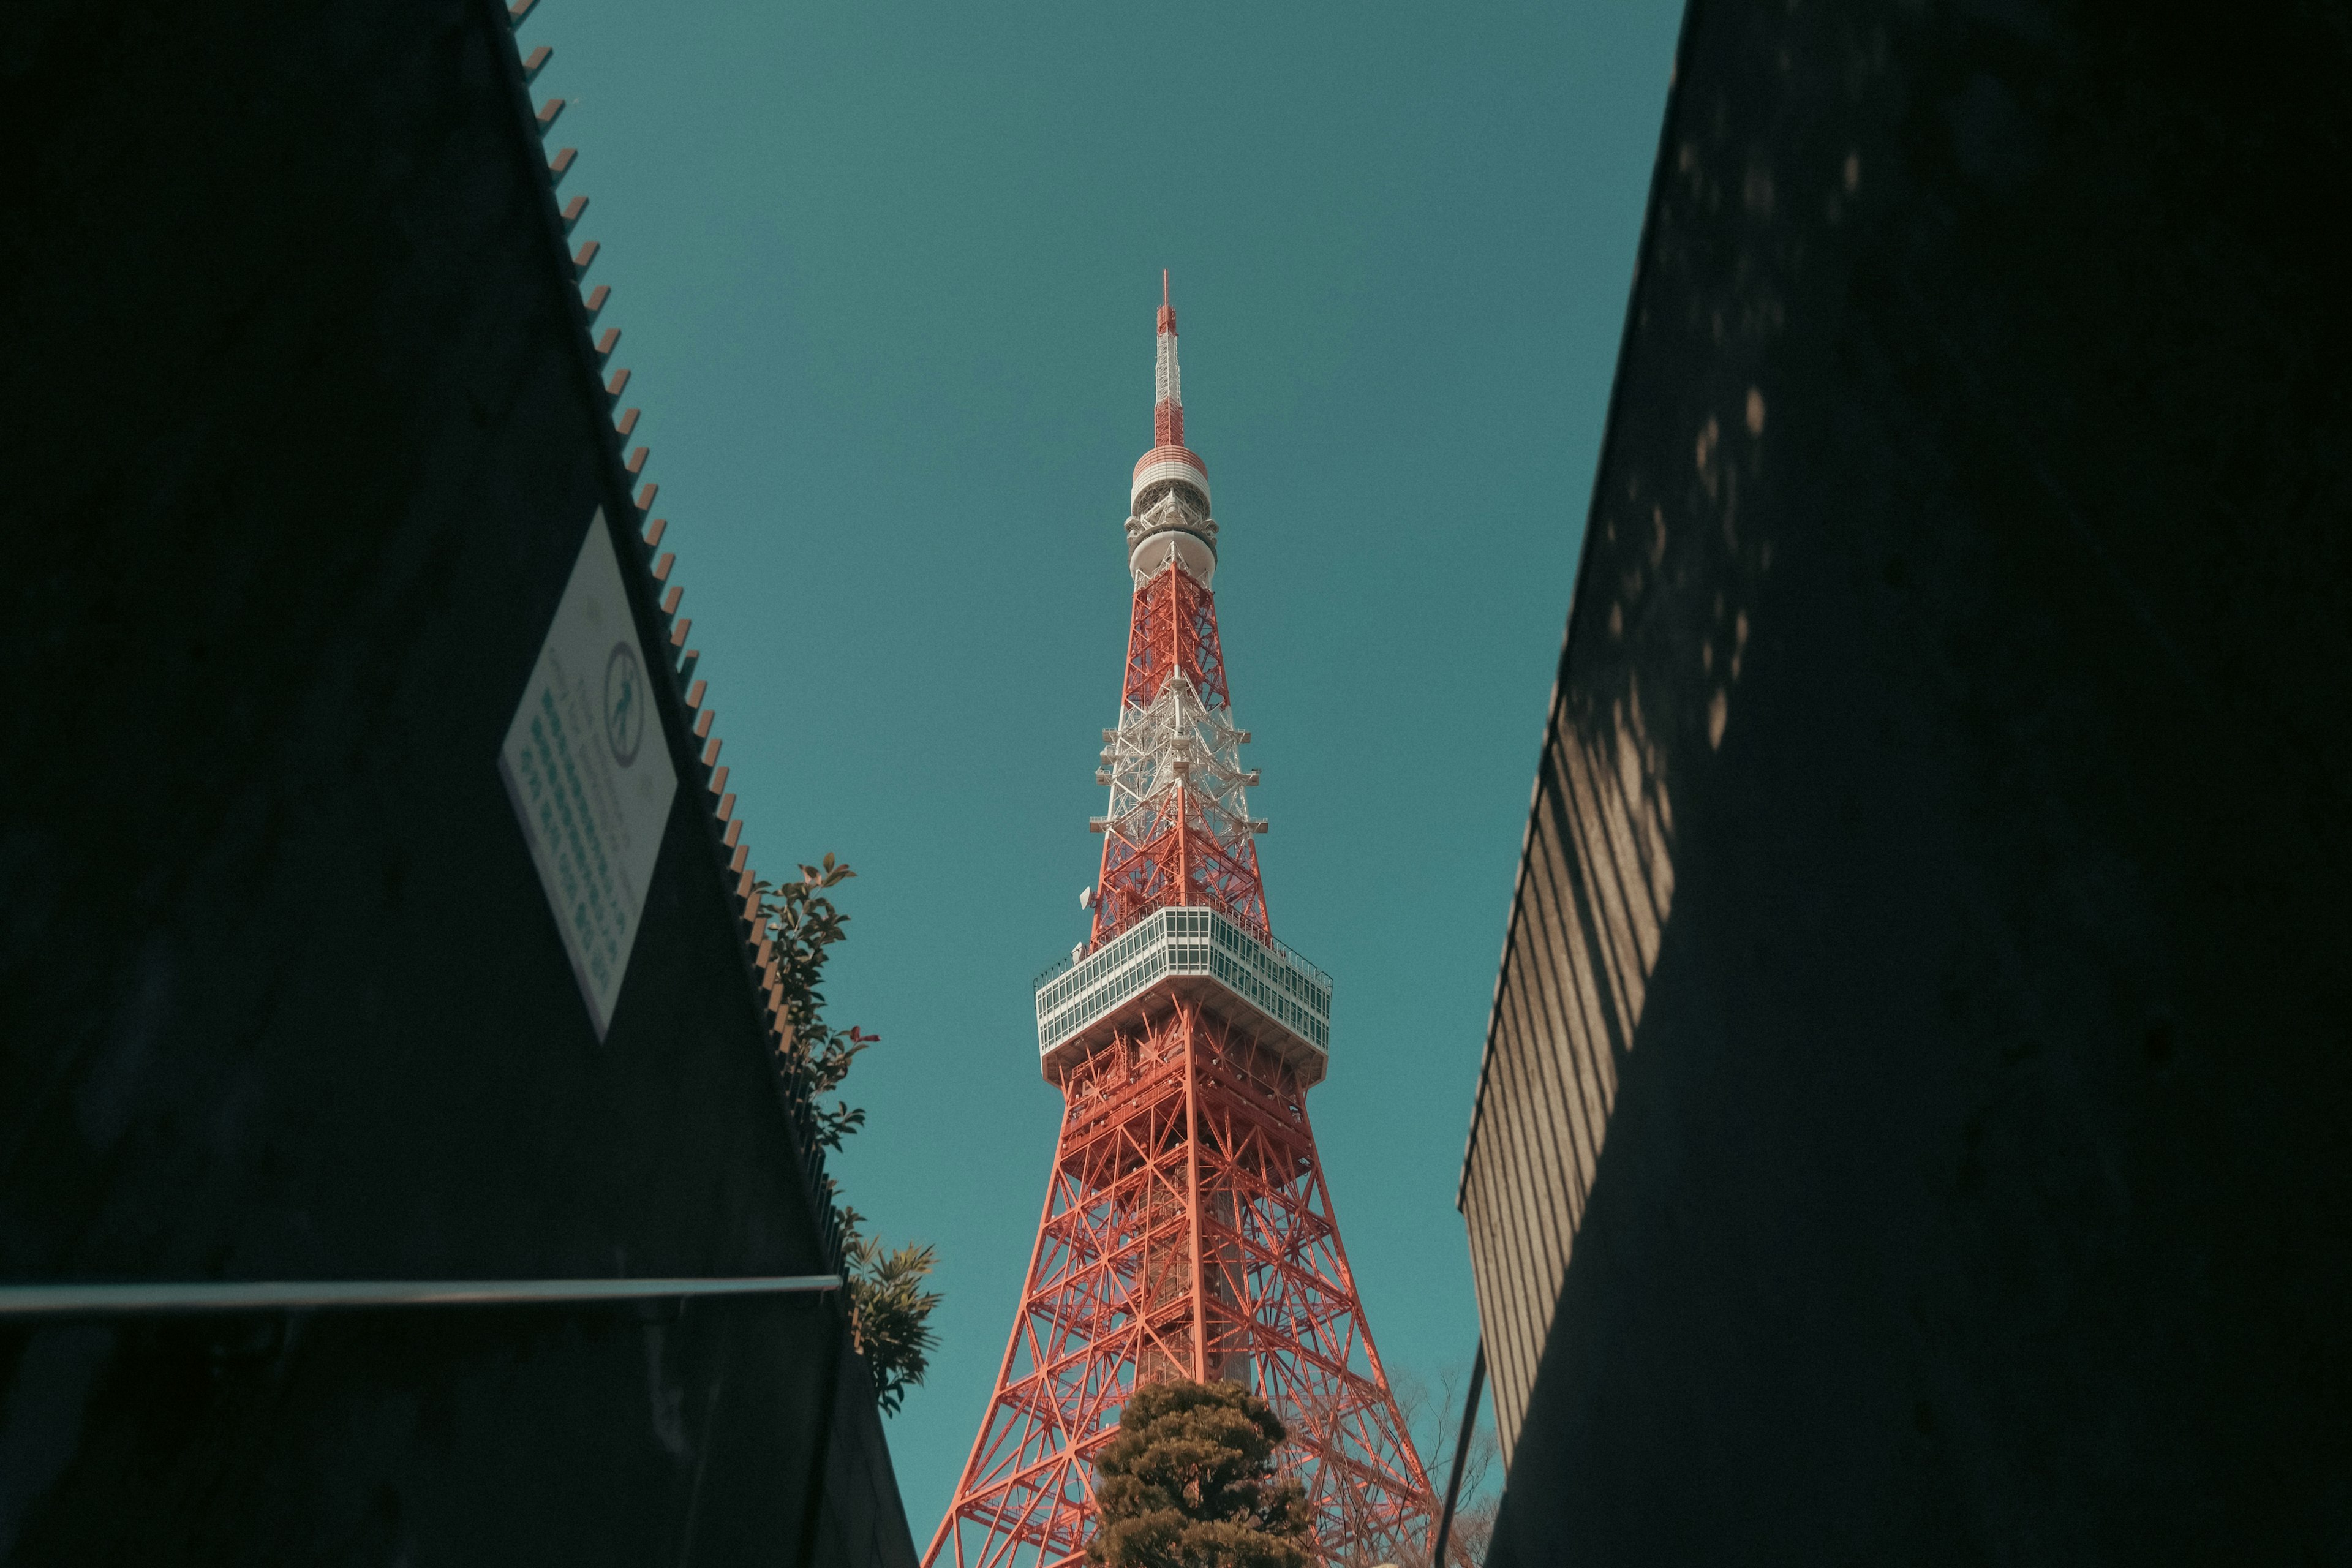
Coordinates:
(305,436)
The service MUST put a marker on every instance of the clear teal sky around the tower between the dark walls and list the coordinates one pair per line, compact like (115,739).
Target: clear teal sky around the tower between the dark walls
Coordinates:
(886,279)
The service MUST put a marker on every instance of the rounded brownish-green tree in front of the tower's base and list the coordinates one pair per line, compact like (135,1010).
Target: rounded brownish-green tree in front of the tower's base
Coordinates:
(1191,1485)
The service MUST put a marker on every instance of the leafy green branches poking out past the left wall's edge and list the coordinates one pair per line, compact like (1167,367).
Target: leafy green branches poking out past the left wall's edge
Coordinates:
(890,1313)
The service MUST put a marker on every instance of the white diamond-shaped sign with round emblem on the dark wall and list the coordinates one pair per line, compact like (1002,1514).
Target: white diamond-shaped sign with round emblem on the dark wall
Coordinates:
(589,772)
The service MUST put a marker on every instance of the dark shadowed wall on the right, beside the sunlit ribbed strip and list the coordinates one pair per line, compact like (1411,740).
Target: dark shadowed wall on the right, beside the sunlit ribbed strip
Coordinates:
(1970,554)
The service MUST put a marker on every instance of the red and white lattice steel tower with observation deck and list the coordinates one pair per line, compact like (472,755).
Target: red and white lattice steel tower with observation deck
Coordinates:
(1187,1224)
